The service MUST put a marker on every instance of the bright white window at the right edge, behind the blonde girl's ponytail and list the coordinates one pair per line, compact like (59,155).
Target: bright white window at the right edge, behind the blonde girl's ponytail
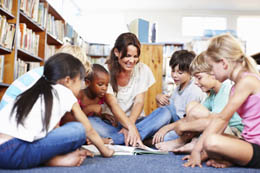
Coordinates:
(248,30)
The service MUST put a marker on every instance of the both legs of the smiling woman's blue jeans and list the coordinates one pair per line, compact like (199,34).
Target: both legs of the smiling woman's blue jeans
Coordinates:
(146,126)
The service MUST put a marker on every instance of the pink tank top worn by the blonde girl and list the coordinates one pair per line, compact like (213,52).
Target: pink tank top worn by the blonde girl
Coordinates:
(249,111)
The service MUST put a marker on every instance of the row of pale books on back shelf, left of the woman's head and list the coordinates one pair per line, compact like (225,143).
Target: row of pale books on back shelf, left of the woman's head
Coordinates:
(96,49)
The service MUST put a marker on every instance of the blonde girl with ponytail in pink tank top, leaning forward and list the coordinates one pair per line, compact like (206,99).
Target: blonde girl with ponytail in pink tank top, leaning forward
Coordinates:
(228,61)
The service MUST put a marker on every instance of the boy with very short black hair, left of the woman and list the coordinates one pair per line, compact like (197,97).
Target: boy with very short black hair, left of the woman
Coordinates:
(92,97)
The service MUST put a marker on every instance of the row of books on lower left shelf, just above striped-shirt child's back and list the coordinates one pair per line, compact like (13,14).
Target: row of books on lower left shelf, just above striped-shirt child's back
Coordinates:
(25,66)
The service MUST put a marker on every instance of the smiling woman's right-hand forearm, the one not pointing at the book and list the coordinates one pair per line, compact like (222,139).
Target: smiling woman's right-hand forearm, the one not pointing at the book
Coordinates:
(137,107)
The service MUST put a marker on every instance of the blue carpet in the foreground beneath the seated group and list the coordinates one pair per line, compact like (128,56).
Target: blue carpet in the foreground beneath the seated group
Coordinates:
(148,163)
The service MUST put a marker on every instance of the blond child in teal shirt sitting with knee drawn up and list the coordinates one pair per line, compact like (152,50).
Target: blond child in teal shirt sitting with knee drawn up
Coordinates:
(198,115)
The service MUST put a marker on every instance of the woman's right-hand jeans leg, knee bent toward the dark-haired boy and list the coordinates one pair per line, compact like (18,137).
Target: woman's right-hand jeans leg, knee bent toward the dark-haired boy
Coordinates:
(153,122)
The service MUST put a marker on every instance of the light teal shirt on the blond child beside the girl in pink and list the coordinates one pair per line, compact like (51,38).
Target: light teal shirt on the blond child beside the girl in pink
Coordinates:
(216,102)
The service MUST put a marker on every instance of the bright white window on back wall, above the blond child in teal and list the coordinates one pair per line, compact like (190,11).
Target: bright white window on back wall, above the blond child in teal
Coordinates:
(195,26)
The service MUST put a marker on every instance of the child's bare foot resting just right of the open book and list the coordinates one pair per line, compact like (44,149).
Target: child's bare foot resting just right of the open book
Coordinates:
(169,145)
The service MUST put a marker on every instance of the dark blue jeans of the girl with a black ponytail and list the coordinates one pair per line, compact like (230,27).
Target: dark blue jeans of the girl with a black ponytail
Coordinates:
(19,154)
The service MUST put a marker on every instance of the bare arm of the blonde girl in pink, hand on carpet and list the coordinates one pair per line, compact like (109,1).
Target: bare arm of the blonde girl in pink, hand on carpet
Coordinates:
(220,121)
